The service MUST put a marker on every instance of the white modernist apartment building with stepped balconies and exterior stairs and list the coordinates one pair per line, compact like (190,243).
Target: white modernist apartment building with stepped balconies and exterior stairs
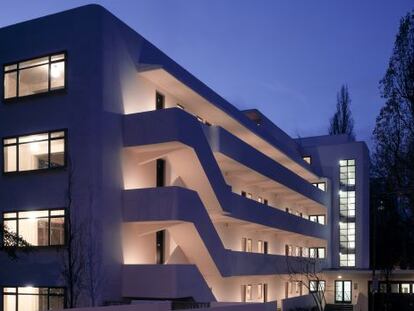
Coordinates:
(162,188)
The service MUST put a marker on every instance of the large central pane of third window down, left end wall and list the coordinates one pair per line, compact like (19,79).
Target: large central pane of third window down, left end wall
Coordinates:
(35,231)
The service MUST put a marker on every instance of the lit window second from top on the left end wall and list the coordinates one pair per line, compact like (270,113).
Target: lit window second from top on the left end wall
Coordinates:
(34,152)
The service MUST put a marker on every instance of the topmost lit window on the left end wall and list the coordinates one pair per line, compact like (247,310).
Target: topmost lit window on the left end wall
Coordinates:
(35,76)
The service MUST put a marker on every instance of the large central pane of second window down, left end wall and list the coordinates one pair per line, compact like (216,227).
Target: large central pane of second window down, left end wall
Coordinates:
(33,156)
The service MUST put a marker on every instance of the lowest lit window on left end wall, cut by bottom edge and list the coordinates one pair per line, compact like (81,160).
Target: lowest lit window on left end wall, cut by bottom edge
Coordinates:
(32,298)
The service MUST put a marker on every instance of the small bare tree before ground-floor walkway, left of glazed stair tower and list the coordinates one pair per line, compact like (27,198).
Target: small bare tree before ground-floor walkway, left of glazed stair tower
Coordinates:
(306,272)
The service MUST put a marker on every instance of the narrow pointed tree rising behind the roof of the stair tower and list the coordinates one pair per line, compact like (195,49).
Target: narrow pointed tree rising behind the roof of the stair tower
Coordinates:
(342,121)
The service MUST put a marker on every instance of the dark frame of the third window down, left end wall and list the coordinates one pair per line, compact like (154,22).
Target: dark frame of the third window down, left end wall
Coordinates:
(49,217)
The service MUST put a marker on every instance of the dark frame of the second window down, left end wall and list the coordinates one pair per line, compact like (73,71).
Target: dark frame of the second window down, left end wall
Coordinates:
(50,168)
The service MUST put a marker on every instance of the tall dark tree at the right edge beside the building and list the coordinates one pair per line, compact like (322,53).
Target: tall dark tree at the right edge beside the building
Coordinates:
(393,157)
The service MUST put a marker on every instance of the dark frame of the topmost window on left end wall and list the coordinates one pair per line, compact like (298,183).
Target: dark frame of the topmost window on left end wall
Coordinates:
(18,98)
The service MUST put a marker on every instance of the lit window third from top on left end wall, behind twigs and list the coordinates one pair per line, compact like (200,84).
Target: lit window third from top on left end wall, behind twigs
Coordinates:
(38,228)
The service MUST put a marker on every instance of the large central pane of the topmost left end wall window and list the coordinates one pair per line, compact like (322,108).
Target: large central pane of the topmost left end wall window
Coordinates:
(33,80)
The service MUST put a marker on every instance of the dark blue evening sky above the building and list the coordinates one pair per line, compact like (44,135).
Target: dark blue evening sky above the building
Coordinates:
(286,58)
